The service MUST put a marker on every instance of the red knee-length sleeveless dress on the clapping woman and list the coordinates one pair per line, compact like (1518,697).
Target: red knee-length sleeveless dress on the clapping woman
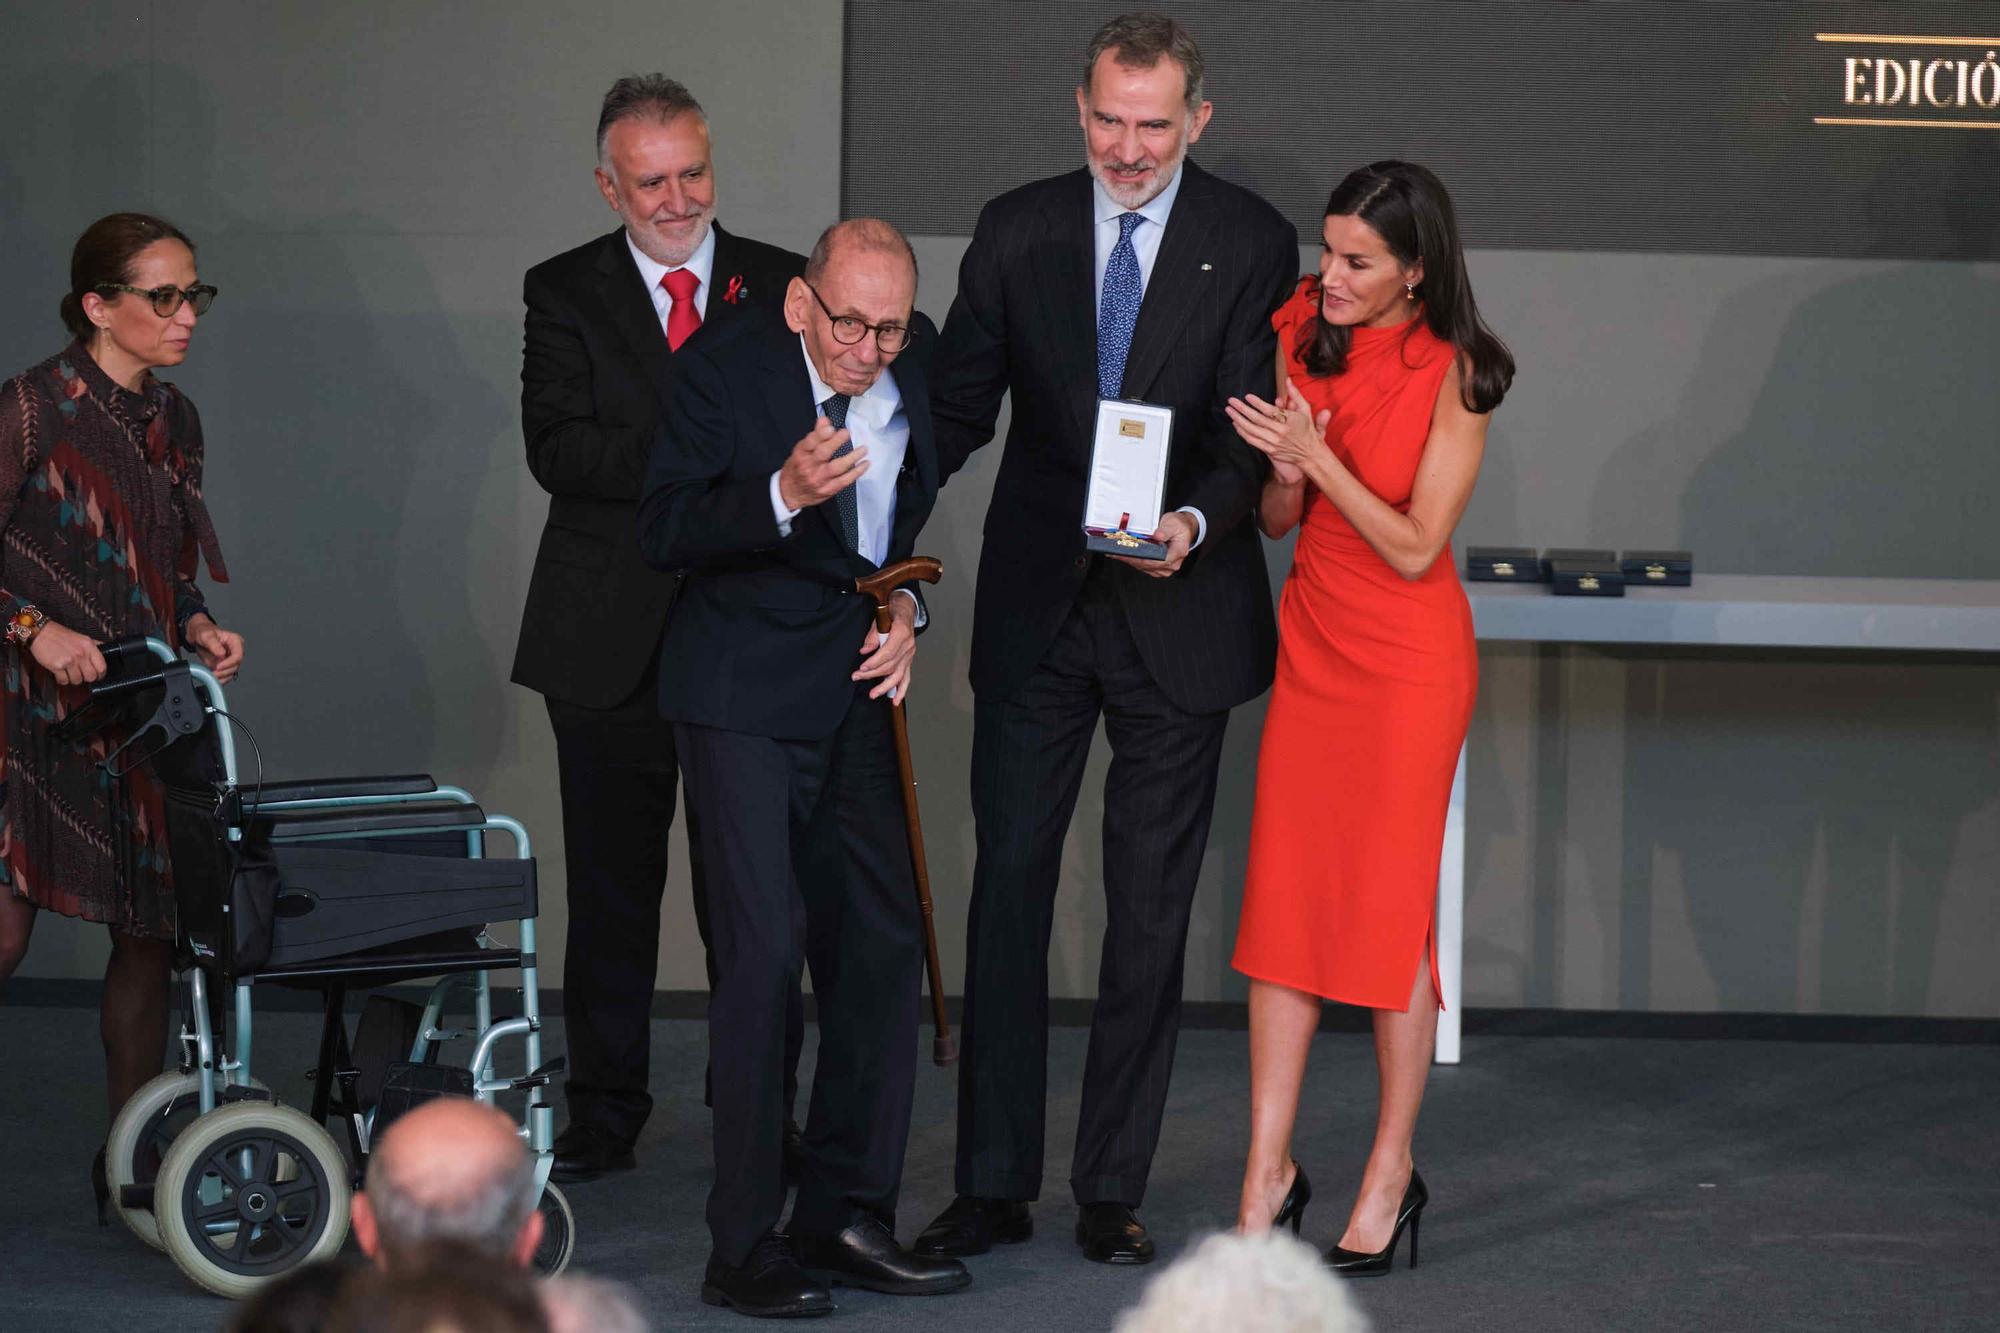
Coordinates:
(1375,692)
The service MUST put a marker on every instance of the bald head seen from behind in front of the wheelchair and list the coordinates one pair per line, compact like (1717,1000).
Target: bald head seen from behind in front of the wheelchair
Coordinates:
(451,1170)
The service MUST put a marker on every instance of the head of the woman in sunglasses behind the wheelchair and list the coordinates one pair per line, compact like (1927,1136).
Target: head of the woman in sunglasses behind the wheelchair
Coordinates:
(149,327)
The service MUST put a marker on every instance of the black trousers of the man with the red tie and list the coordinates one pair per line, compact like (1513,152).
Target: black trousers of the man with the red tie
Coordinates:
(617,770)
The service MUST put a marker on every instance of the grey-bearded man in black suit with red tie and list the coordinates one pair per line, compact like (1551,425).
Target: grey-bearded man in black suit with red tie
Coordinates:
(605,327)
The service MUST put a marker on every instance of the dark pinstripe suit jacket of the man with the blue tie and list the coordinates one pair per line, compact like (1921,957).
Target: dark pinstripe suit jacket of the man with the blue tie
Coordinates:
(1025,323)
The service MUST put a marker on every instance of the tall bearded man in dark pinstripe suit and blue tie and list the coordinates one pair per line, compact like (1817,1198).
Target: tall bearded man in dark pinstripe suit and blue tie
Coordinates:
(1141,277)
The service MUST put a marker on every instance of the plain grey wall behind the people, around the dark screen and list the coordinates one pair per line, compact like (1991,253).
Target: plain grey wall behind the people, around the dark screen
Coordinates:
(1813,834)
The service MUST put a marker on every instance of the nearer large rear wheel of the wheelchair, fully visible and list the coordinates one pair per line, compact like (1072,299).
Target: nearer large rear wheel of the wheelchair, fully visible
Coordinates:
(249,1194)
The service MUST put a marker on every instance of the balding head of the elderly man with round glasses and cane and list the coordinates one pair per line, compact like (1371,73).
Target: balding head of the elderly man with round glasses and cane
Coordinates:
(861,273)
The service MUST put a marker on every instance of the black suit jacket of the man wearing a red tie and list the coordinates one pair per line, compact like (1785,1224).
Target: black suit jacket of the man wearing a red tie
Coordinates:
(593,381)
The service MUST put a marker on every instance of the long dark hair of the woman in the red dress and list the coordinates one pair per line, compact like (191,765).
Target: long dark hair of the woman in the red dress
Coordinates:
(1411,211)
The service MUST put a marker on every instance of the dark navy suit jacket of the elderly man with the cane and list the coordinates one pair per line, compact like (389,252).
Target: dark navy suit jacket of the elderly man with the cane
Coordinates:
(767,633)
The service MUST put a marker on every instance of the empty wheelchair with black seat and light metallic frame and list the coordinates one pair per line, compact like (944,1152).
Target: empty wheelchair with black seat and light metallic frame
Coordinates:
(325,886)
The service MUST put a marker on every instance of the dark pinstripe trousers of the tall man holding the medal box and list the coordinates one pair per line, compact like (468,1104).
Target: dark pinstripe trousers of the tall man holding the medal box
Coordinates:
(1027,768)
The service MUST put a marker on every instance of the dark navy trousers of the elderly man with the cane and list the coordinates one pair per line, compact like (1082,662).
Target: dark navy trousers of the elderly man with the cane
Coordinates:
(809,864)
